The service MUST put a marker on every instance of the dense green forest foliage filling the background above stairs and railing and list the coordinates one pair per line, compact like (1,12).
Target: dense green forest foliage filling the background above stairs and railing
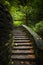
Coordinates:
(29,12)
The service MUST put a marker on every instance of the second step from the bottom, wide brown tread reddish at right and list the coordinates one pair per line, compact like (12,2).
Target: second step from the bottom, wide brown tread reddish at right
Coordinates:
(23,57)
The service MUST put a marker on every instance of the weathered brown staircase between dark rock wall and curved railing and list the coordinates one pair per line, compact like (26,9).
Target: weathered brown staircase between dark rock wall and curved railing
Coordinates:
(23,49)
